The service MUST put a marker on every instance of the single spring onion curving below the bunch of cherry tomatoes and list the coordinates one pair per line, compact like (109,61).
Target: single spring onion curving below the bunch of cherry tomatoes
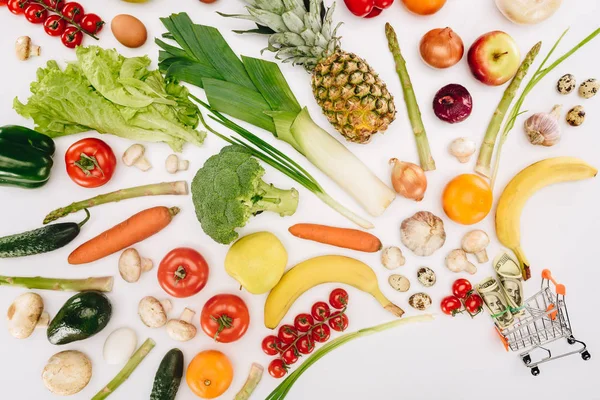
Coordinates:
(284,387)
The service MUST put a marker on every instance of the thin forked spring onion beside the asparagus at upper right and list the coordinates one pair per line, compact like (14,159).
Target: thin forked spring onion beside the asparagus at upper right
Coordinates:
(541,72)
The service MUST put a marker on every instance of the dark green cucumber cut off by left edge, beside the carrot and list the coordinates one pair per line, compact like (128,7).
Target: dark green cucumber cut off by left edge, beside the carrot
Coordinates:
(42,240)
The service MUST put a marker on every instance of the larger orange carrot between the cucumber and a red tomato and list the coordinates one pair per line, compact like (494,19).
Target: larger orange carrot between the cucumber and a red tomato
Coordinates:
(135,229)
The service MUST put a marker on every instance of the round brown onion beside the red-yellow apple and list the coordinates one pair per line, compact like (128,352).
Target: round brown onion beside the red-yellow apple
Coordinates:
(441,48)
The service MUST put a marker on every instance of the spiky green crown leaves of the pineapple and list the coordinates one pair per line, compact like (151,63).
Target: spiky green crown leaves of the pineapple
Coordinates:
(300,31)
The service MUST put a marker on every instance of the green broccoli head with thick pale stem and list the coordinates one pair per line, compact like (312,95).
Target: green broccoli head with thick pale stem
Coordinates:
(229,189)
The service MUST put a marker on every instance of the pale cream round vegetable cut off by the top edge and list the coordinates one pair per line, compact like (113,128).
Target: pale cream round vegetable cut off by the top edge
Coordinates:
(528,11)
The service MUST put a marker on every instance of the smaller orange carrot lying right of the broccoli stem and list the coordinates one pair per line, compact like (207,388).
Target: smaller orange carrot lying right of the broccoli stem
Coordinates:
(340,237)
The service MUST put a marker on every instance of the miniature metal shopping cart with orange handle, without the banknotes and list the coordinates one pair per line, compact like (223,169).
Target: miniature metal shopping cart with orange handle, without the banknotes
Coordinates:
(544,320)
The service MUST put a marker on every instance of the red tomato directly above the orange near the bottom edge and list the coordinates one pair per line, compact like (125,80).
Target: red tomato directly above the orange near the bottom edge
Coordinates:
(225,318)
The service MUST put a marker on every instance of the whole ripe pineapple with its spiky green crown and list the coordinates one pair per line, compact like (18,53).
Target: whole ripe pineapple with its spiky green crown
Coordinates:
(353,97)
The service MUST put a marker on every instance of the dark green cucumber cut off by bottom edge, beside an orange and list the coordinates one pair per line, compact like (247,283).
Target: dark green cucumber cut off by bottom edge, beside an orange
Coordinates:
(168,376)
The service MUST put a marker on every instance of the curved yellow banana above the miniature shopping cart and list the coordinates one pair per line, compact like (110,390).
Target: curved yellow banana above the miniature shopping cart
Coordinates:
(522,187)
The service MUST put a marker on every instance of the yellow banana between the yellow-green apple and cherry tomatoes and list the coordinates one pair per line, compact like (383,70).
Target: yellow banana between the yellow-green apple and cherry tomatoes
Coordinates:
(316,271)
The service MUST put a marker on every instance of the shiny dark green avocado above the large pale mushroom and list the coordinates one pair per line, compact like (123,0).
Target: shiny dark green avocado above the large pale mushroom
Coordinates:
(81,317)
